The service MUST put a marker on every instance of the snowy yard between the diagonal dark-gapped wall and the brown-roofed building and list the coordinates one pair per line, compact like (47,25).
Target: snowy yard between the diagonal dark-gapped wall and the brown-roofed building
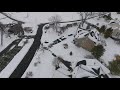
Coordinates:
(78,53)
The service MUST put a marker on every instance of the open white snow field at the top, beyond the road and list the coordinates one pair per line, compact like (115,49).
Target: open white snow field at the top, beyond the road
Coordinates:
(33,19)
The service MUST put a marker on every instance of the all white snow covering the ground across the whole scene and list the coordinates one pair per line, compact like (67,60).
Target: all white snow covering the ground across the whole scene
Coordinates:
(42,64)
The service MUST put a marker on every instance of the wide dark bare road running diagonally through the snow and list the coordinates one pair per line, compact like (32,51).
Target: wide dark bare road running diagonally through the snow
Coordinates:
(21,68)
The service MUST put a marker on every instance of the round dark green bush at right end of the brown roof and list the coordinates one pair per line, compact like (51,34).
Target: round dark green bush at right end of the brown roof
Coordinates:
(98,51)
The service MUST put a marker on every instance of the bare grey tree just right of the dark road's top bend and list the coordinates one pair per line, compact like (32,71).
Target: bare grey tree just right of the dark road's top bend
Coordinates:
(55,22)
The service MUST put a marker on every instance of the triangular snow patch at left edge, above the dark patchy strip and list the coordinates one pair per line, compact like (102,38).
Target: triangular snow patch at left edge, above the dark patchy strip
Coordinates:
(6,41)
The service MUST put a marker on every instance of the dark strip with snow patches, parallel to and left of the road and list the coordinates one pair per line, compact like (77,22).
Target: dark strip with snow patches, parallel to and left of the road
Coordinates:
(10,52)
